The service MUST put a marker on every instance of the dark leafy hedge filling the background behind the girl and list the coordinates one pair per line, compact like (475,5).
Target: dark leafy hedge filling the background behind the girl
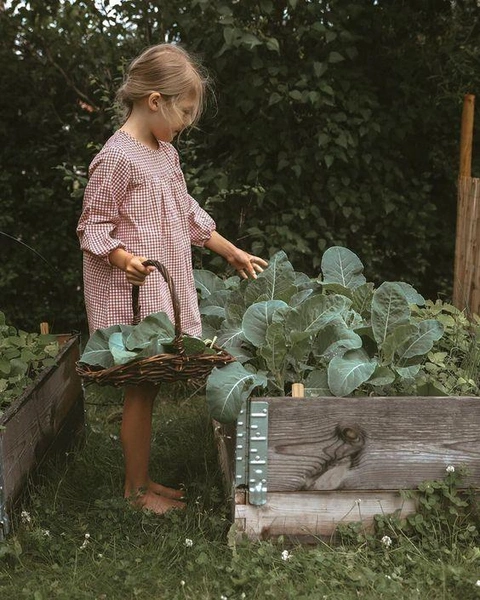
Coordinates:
(333,123)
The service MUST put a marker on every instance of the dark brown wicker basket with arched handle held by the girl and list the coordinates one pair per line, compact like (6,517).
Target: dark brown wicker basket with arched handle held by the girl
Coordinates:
(163,367)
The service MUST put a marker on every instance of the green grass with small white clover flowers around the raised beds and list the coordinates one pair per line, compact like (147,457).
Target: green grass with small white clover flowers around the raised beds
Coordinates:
(129,554)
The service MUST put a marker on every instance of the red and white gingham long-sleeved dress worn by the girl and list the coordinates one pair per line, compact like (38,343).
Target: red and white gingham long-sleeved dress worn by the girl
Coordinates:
(136,199)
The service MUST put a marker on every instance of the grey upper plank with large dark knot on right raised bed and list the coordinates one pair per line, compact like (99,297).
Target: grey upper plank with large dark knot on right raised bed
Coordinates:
(370,443)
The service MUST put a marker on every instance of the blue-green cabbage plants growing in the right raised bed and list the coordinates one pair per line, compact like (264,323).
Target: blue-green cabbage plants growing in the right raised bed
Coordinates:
(338,334)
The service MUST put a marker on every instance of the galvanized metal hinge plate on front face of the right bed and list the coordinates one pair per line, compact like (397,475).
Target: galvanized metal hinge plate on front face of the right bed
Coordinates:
(258,452)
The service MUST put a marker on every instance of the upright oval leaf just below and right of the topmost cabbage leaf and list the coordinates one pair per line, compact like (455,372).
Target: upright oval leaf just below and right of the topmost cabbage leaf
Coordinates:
(389,310)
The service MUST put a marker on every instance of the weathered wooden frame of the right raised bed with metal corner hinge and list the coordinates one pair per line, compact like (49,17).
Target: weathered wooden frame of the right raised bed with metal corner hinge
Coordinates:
(300,467)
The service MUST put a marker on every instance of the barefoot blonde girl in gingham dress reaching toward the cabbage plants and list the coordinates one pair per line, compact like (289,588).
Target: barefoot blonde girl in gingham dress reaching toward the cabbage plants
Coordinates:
(136,206)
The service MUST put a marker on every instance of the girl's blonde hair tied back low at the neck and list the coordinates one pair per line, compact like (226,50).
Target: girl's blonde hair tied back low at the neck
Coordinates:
(169,70)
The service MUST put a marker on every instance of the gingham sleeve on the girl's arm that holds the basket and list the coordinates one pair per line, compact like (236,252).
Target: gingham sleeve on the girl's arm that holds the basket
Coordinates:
(109,177)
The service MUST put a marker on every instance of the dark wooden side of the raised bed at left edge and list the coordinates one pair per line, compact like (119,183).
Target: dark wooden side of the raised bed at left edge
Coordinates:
(48,415)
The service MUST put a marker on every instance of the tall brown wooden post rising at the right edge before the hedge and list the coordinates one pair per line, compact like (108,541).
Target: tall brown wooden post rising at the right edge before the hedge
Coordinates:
(466,225)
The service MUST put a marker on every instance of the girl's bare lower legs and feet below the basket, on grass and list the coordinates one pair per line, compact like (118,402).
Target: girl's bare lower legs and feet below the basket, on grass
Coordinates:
(136,438)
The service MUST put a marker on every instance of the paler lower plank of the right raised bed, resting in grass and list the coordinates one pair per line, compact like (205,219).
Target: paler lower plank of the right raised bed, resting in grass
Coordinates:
(308,516)
